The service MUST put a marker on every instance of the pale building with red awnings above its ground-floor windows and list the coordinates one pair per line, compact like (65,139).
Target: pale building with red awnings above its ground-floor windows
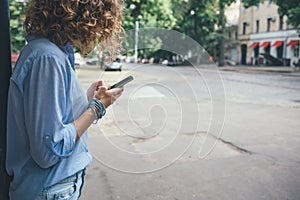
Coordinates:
(265,38)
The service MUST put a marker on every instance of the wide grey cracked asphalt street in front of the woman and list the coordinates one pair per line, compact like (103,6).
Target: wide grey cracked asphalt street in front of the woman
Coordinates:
(180,133)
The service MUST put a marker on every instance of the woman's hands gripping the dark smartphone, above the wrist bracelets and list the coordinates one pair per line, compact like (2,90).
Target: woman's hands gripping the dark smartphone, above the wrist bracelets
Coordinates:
(106,95)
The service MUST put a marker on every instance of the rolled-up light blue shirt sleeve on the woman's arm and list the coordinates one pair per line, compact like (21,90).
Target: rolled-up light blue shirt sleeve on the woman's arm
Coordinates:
(47,91)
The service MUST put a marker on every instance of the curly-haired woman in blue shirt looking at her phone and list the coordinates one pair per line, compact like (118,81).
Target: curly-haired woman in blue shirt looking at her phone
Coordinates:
(48,112)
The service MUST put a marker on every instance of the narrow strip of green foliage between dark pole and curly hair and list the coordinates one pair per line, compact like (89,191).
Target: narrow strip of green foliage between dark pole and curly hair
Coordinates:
(16,25)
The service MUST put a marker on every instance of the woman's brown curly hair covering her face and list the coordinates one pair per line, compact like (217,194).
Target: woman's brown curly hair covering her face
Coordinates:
(83,23)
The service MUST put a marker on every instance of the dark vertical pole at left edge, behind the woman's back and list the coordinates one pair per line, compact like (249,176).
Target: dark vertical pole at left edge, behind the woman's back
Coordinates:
(5,73)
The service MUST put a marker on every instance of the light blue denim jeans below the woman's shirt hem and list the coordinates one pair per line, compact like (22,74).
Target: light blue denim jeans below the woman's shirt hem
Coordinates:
(67,189)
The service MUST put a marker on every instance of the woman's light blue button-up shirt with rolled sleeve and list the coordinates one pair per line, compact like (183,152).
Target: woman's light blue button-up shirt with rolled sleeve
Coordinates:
(45,97)
